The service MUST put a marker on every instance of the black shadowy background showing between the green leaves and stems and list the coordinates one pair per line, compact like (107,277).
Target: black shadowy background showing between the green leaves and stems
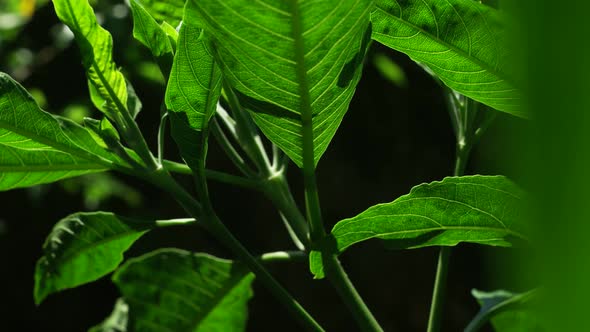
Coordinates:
(391,139)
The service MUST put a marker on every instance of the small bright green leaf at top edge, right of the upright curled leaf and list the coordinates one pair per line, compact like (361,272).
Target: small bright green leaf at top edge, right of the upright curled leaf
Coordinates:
(152,35)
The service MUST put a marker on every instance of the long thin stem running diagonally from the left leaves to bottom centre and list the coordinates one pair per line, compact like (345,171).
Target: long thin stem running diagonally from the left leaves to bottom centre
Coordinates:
(216,227)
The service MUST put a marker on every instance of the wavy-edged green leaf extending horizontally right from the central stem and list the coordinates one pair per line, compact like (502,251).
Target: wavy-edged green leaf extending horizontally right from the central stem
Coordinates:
(478,209)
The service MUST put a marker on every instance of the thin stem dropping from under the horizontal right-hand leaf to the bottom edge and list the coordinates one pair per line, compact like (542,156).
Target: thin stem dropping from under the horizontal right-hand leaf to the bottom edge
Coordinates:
(438,295)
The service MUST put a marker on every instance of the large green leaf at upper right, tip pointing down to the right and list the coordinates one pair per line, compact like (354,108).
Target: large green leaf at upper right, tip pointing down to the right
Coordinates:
(461,41)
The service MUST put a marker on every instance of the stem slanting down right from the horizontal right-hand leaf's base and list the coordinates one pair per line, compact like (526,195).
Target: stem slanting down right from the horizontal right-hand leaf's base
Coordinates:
(349,295)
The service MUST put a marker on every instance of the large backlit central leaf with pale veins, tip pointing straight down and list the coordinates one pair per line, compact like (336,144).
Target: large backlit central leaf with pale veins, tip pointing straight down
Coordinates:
(289,61)
